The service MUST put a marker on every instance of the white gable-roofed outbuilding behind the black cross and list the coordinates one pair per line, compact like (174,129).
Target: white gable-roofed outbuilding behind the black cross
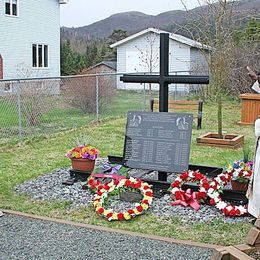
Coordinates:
(139,53)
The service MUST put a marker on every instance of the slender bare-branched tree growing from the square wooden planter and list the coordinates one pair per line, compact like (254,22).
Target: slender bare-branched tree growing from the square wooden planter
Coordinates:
(215,28)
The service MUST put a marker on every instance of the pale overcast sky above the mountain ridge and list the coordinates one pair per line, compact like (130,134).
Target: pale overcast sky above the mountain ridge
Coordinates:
(84,12)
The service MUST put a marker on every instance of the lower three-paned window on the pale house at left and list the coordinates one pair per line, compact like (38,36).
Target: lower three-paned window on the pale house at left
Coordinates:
(40,56)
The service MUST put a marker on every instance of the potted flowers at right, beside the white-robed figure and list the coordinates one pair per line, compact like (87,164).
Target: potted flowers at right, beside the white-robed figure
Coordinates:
(241,173)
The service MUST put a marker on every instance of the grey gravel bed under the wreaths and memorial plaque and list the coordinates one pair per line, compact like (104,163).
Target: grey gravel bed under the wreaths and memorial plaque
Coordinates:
(49,187)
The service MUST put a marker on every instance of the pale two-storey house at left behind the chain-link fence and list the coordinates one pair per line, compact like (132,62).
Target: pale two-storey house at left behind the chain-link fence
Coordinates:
(29,38)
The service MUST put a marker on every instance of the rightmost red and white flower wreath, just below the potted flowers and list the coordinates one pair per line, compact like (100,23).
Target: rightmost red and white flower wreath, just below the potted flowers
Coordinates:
(214,190)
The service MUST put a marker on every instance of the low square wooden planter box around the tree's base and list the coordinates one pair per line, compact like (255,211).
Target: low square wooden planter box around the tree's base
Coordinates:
(232,141)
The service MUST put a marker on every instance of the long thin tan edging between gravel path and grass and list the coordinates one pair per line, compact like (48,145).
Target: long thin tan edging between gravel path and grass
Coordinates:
(119,231)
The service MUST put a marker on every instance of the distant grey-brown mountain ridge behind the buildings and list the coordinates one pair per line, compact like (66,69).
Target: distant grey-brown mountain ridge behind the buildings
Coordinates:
(136,21)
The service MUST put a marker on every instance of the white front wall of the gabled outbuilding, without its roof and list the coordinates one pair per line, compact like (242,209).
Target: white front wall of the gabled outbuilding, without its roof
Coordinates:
(129,60)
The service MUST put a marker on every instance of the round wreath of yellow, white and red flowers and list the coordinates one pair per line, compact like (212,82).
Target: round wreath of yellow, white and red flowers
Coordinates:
(102,195)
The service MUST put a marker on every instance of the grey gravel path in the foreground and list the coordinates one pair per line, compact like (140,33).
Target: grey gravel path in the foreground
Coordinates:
(25,238)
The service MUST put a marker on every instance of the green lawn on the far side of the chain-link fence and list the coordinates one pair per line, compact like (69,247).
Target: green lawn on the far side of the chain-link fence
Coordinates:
(57,115)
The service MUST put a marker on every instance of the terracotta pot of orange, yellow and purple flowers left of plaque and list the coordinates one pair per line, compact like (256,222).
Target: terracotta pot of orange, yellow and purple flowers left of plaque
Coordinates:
(83,157)
